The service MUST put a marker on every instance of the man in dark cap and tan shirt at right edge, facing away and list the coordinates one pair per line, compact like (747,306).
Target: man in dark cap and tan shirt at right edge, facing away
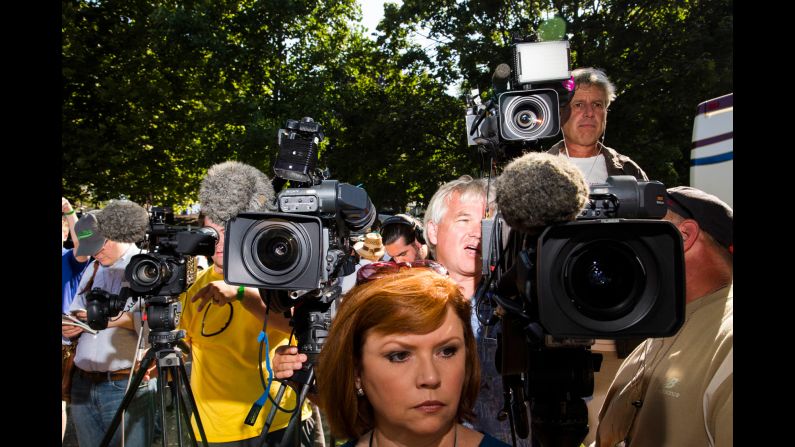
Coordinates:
(679,390)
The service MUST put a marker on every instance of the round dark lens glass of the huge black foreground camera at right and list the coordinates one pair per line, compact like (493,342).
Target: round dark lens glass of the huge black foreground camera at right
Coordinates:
(604,279)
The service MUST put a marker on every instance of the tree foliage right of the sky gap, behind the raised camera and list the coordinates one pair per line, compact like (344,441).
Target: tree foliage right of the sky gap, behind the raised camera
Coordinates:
(665,56)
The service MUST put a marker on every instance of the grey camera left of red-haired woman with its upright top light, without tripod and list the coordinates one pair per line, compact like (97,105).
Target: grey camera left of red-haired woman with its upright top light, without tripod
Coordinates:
(306,245)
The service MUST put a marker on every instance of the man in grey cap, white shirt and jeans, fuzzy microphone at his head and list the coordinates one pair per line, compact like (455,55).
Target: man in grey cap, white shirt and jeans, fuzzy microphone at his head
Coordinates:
(105,360)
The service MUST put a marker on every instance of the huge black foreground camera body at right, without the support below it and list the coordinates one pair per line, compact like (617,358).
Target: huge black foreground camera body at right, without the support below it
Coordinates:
(615,272)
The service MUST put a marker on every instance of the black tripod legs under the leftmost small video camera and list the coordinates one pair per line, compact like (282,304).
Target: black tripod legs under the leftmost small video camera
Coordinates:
(169,361)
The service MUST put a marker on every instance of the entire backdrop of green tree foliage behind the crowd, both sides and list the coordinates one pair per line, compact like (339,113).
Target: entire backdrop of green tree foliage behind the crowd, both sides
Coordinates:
(155,92)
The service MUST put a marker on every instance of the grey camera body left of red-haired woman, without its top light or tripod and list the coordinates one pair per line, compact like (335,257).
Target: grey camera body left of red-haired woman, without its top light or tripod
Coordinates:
(303,246)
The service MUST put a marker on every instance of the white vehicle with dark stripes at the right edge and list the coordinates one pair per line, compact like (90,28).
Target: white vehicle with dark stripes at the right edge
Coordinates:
(712,154)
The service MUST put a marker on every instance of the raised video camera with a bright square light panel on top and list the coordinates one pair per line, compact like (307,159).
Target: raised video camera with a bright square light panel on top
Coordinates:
(527,97)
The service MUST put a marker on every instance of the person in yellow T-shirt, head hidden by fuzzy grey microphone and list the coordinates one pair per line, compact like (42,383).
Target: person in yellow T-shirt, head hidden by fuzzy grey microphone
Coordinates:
(223,322)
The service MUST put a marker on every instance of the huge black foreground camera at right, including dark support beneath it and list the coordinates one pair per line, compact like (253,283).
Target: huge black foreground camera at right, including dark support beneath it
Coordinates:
(616,272)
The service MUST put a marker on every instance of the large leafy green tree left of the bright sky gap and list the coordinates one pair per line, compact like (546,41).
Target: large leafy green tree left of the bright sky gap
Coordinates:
(156,92)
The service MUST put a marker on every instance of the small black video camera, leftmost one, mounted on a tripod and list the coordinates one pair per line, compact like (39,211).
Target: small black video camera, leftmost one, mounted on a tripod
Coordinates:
(159,276)
